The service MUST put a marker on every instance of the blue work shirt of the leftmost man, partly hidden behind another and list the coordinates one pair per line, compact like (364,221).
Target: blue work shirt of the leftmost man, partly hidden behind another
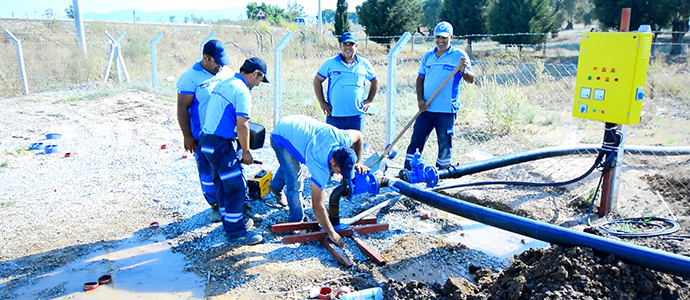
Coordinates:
(200,83)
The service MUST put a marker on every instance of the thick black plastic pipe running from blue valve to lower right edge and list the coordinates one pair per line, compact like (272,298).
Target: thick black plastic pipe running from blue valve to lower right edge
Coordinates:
(643,256)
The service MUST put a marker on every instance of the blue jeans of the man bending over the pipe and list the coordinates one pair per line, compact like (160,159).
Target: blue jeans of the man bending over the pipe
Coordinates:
(289,176)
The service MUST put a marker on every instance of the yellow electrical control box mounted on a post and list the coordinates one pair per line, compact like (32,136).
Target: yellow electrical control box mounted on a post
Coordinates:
(611,75)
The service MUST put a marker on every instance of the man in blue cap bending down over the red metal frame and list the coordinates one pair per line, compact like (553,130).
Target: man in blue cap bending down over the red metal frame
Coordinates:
(325,150)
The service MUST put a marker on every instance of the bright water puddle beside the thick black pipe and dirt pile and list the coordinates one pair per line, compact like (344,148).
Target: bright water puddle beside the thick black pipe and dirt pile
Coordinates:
(490,240)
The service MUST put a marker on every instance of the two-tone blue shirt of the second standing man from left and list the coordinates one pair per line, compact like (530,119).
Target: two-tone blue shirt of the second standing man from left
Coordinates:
(230,99)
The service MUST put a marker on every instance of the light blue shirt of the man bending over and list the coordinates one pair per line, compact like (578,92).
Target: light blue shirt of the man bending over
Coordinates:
(312,143)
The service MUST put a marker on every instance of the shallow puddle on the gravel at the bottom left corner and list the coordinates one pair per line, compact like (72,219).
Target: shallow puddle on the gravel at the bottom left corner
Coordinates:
(139,270)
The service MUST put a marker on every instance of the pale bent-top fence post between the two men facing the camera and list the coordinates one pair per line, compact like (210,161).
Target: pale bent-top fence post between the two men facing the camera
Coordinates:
(391,86)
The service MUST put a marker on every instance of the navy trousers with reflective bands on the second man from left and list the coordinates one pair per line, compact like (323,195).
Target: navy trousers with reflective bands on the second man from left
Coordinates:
(228,179)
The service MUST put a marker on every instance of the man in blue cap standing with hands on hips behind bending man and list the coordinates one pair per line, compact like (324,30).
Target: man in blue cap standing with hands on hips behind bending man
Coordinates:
(347,73)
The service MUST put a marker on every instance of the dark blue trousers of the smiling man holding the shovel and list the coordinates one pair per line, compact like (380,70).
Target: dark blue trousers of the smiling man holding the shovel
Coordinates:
(444,124)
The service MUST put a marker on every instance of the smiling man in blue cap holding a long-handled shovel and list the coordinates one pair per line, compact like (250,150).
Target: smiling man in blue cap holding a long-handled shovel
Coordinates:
(436,65)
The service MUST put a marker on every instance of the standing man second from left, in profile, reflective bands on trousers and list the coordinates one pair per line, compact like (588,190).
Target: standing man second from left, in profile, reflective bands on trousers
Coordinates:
(224,133)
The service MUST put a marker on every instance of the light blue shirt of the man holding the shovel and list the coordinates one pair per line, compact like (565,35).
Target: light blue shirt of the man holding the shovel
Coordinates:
(435,71)
